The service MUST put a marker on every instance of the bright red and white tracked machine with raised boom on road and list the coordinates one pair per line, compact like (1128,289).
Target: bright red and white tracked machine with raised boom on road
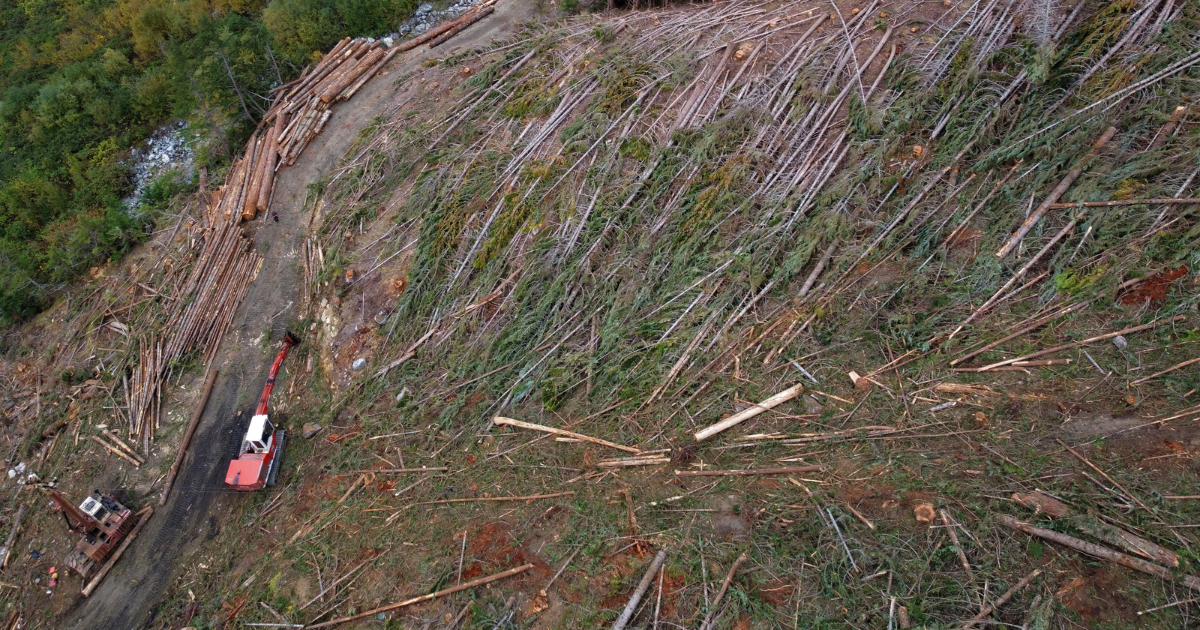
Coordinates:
(262,448)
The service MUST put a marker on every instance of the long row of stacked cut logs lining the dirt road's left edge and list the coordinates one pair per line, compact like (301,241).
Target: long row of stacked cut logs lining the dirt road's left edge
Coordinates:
(227,262)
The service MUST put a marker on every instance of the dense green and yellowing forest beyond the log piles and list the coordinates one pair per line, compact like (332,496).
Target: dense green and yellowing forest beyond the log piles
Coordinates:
(83,82)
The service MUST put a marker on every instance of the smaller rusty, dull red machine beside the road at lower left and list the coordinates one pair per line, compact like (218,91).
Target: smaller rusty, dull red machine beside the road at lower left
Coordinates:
(104,524)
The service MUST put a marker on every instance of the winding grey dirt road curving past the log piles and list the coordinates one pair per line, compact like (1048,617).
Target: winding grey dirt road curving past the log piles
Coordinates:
(133,595)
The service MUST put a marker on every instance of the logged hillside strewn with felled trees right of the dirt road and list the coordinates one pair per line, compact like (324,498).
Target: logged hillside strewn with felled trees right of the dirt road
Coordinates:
(959,238)
